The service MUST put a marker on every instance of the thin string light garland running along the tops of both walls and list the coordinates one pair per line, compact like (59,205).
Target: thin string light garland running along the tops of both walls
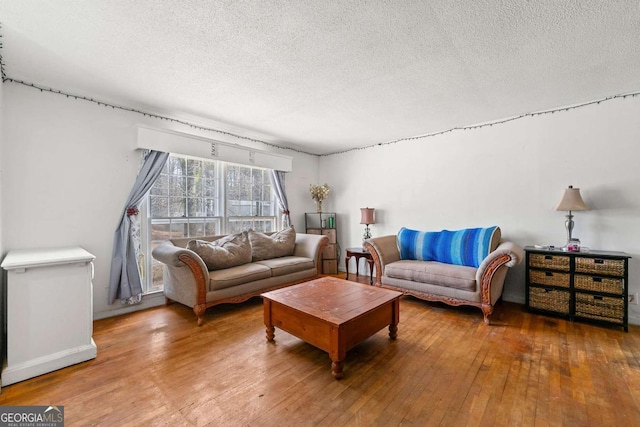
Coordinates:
(5,78)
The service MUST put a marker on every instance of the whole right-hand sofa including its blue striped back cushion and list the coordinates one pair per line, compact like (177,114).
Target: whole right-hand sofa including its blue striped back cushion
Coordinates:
(431,265)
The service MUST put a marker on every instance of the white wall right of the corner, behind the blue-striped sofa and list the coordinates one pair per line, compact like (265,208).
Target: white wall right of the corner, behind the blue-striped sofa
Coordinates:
(511,175)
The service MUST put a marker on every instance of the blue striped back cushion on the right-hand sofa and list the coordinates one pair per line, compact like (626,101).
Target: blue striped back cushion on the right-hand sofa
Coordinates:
(466,247)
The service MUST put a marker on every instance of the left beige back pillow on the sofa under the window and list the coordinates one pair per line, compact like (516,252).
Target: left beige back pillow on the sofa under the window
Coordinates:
(226,252)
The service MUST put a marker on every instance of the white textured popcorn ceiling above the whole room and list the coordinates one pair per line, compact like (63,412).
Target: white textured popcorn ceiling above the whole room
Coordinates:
(325,76)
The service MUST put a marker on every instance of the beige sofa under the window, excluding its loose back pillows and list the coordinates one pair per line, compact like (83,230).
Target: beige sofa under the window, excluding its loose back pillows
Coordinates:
(189,281)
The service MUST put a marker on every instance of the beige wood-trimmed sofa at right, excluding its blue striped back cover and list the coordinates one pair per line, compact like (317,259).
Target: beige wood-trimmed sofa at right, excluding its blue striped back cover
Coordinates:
(436,281)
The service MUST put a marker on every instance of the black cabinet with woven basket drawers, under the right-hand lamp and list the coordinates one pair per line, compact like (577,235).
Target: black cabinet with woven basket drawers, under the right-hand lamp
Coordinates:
(586,285)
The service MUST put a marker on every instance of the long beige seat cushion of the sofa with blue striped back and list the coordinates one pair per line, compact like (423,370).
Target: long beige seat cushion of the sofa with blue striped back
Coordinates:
(434,273)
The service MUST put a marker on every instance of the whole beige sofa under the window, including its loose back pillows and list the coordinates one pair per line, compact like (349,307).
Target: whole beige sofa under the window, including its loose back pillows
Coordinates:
(204,272)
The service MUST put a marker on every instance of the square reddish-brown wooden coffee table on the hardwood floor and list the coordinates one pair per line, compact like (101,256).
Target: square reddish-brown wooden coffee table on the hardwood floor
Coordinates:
(332,314)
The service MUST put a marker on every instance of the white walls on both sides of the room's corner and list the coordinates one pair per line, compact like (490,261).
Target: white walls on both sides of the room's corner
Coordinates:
(67,167)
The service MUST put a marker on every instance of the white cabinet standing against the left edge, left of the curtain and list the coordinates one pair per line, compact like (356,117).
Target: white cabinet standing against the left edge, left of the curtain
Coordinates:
(49,312)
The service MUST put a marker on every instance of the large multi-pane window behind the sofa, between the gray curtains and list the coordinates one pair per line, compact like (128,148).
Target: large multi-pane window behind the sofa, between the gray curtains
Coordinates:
(196,198)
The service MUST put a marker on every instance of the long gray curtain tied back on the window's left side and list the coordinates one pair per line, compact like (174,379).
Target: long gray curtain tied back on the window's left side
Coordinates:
(125,283)
